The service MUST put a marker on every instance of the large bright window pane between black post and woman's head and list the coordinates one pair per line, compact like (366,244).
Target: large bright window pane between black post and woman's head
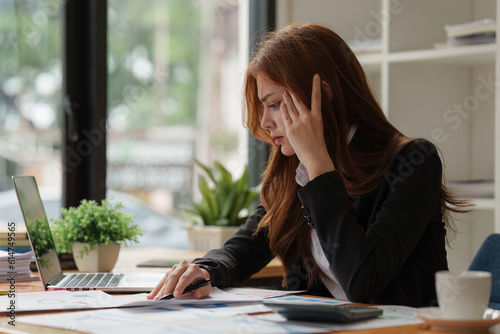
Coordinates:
(175,71)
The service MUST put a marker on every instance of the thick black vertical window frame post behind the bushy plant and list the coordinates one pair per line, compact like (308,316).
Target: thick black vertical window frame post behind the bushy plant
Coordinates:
(84,101)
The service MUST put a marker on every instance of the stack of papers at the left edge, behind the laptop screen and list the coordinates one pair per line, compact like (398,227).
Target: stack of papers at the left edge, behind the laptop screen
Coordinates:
(15,266)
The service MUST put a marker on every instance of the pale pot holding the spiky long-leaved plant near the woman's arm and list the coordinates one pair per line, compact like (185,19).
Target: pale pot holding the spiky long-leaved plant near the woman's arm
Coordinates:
(205,238)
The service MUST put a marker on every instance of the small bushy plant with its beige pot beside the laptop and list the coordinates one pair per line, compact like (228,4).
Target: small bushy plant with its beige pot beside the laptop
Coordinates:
(94,233)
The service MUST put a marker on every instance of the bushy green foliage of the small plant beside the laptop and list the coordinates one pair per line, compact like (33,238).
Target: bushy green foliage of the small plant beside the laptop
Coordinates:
(94,224)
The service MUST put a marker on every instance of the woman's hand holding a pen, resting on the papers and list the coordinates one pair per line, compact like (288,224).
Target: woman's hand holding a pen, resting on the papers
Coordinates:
(178,278)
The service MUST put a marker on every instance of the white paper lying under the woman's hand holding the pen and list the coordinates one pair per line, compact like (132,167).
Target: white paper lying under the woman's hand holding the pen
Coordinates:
(71,300)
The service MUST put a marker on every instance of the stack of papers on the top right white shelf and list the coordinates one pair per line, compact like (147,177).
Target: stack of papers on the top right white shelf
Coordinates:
(475,32)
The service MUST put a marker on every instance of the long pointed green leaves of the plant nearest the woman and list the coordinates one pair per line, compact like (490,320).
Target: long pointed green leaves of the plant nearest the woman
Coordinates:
(224,201)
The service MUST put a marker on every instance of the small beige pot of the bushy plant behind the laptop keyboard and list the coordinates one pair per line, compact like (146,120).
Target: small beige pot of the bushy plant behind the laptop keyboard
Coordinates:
(102,258)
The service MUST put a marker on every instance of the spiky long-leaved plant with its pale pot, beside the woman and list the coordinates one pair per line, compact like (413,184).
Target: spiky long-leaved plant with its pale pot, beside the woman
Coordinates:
(223,207)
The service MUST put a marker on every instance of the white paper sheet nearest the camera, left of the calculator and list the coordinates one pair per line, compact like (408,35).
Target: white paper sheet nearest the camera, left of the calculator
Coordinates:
(164,319)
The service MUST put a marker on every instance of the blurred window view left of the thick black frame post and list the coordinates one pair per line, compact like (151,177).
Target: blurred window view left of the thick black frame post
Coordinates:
(30,91)
